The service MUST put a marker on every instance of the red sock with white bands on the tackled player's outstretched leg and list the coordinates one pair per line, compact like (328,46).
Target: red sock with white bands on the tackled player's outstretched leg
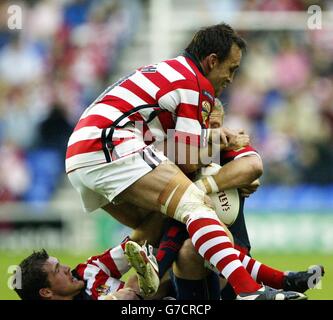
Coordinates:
(262,273)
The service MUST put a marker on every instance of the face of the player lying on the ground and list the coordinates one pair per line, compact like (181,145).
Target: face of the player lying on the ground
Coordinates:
(62,284)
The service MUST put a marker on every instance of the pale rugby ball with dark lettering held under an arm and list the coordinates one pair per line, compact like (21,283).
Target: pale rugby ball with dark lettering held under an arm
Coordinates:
(226,202)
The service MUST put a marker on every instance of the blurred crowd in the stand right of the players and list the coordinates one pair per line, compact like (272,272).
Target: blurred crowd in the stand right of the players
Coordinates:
(283,94)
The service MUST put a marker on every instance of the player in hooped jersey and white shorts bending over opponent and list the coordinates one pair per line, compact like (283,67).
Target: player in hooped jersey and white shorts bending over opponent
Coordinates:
(109,159)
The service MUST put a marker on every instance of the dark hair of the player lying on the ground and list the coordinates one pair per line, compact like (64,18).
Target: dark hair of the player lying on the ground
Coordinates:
(33,276)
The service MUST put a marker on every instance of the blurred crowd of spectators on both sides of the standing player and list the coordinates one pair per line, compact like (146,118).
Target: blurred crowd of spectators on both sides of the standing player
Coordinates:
(68,50)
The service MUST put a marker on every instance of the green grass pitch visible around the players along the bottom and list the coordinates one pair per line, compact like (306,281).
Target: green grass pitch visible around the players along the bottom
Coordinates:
(280,261)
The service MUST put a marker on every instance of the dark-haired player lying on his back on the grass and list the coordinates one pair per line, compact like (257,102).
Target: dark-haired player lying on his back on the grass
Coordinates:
(43,277)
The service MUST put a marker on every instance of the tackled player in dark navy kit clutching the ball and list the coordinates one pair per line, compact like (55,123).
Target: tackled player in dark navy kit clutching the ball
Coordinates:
(191,279)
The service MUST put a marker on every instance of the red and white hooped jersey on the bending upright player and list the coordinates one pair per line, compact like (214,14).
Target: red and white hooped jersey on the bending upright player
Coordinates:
(172,94)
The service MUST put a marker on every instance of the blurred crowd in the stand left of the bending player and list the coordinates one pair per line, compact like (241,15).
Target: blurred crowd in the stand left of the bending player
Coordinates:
(49,72)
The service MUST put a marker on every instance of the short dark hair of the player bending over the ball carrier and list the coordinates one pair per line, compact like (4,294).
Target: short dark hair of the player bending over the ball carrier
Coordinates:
(216,39)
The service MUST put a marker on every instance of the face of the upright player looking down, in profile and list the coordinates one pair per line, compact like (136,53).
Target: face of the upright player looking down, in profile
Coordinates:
(222,73)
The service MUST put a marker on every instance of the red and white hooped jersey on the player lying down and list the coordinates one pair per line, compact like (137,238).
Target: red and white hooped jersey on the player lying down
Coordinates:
(102,273)
